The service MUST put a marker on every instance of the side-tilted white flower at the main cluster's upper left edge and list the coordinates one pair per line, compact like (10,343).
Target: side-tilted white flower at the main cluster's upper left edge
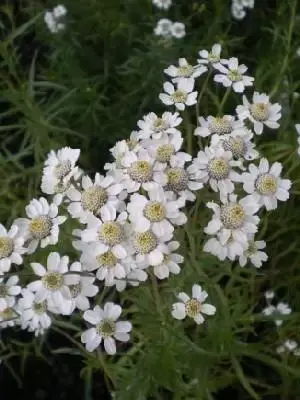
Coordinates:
(60,168)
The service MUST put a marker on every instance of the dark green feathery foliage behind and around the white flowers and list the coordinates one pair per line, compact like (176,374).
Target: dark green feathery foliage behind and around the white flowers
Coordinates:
(86,87)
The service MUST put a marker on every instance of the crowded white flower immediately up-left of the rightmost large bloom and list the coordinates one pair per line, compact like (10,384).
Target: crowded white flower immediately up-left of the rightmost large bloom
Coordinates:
(239,142)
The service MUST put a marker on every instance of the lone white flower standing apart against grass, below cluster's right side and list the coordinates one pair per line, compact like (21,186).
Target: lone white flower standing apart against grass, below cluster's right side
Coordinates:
(193,307)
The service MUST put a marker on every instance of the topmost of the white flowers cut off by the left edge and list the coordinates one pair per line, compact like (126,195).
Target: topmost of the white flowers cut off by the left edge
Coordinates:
(11,248)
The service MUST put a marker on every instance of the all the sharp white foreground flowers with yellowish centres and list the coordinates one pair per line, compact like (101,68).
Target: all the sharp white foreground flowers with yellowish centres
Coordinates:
(127,218)
